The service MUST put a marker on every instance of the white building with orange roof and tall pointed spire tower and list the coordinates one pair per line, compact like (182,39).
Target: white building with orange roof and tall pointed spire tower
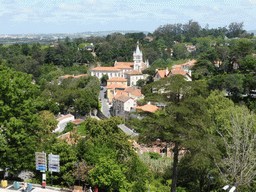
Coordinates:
(132,71)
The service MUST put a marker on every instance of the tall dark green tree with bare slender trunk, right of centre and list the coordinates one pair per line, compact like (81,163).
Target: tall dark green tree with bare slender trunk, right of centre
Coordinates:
(184,119)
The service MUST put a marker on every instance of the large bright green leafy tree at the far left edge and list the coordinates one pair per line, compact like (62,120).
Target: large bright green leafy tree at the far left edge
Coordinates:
(20,125)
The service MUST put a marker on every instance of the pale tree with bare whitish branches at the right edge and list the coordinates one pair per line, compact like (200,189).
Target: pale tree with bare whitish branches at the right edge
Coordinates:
(238,134)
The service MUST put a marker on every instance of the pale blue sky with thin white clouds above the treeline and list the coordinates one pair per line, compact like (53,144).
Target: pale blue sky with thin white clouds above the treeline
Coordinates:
(72,16)
